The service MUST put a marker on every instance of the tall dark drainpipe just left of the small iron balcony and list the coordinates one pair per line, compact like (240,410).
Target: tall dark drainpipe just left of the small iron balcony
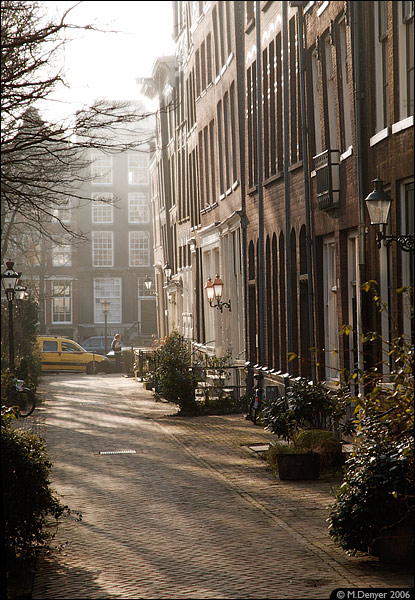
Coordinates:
(306,192)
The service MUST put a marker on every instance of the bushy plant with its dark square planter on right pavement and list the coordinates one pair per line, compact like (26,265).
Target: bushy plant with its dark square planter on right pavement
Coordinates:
(304,418)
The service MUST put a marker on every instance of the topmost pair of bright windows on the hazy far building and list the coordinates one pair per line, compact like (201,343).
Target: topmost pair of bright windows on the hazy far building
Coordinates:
(102,169)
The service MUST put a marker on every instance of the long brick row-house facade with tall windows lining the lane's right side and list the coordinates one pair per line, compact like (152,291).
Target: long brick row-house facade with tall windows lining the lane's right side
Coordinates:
(271,155)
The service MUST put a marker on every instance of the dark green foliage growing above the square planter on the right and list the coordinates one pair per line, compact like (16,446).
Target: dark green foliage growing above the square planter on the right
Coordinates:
(305,406)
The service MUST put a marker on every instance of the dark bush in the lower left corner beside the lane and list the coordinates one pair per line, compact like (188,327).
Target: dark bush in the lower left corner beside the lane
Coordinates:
(27,497)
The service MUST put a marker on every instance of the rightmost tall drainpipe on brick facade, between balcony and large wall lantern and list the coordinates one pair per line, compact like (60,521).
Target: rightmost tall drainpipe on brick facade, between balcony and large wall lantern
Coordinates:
(359,140)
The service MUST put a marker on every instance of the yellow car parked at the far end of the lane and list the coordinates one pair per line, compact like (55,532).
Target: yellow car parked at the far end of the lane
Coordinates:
(58,353)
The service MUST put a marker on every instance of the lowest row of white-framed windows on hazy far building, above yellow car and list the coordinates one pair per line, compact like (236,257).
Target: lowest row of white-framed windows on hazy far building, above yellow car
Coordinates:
(105,288)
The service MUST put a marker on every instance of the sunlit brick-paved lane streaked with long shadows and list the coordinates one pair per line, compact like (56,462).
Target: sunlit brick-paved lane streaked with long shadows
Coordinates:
(193,513)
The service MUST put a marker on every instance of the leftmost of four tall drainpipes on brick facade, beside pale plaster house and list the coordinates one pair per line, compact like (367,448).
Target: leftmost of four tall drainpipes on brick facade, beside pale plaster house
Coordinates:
(261,325)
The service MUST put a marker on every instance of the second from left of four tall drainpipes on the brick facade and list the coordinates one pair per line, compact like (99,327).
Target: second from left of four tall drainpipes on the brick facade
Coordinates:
(286,183)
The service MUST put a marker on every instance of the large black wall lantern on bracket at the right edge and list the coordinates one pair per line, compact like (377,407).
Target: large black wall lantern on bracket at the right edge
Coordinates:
(378,206)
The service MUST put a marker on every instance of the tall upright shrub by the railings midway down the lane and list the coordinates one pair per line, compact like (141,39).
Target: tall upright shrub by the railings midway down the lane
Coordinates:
(174,376)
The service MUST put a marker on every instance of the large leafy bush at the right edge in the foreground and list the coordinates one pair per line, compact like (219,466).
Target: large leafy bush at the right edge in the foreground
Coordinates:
(378,488)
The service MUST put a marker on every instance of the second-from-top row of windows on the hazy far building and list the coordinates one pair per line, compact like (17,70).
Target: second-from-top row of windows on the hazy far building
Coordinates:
(102,208)
